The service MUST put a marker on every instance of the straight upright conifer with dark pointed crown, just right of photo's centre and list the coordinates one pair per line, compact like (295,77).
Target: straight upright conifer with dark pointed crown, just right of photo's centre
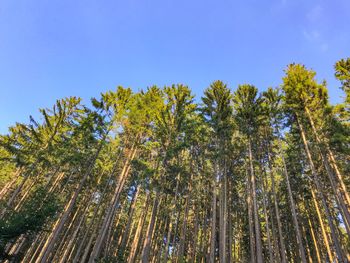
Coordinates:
(218,113)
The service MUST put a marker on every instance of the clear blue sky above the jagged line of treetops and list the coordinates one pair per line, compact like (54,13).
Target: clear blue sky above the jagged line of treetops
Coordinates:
(53,49)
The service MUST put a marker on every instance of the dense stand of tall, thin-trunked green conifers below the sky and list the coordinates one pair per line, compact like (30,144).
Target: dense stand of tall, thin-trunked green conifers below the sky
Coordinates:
(157,176)
